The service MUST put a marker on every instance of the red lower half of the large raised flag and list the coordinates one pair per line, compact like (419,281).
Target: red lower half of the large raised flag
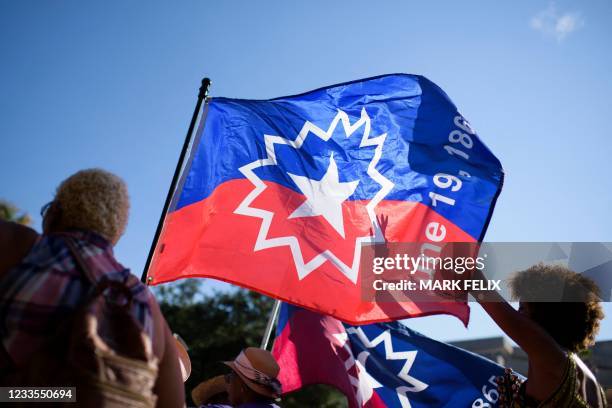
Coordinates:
(263,250)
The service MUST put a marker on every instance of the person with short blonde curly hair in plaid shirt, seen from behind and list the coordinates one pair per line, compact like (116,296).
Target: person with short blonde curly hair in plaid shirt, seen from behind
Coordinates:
(90,210)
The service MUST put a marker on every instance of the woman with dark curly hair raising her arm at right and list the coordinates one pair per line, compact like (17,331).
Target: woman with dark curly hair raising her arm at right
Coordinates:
(558,317)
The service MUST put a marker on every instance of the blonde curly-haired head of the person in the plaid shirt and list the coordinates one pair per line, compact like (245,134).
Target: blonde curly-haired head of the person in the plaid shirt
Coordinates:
(93,200)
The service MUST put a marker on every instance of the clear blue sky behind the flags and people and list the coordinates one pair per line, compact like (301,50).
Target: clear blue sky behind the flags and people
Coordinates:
(112,84)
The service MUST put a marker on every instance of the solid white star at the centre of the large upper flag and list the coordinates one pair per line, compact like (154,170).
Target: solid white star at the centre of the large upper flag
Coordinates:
(324,197)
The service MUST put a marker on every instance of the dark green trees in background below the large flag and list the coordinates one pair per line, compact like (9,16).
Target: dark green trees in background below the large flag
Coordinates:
(217,326)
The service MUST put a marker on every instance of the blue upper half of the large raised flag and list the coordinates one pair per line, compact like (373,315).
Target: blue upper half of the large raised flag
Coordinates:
(427,144)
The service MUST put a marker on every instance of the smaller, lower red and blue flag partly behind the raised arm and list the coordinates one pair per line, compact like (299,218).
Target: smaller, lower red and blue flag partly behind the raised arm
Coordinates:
(380,365)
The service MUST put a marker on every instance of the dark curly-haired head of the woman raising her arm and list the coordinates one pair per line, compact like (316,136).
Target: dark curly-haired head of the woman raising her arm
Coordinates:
(565,303)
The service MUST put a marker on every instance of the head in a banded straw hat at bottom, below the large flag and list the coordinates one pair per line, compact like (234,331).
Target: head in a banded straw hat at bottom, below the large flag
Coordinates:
(253,377)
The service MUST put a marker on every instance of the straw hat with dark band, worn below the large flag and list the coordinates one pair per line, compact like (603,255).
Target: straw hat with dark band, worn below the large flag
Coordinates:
(259,371)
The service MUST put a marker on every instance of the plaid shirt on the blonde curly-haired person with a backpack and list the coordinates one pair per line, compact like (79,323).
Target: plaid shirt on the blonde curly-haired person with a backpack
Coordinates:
(37,295)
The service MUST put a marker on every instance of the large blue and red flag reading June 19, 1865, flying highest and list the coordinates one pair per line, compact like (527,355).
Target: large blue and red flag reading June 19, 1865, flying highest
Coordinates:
(279,195)
